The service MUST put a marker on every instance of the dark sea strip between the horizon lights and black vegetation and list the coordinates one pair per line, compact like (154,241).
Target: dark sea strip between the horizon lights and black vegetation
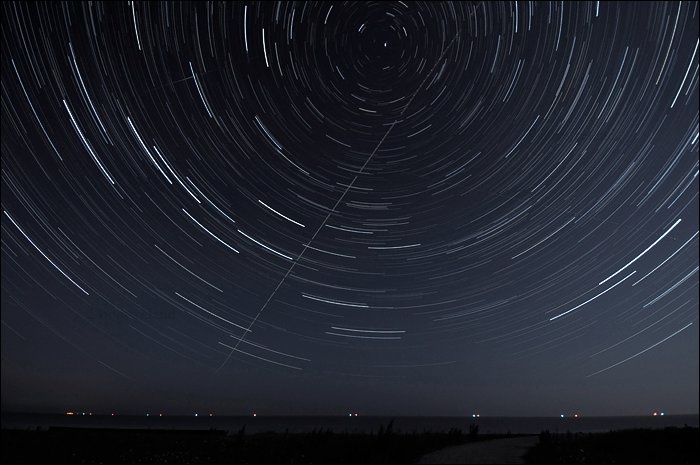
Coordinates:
(338,424)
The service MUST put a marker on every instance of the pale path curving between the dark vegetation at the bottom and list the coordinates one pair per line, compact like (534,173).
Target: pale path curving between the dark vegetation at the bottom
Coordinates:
(509,450)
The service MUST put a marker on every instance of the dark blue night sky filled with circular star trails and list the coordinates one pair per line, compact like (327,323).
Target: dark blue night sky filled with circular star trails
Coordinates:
(391,208)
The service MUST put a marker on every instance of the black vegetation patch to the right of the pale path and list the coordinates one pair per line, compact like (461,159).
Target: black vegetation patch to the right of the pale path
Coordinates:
(669,445)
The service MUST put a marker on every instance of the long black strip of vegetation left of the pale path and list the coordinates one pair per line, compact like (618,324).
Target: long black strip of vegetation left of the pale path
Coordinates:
(72,445)
